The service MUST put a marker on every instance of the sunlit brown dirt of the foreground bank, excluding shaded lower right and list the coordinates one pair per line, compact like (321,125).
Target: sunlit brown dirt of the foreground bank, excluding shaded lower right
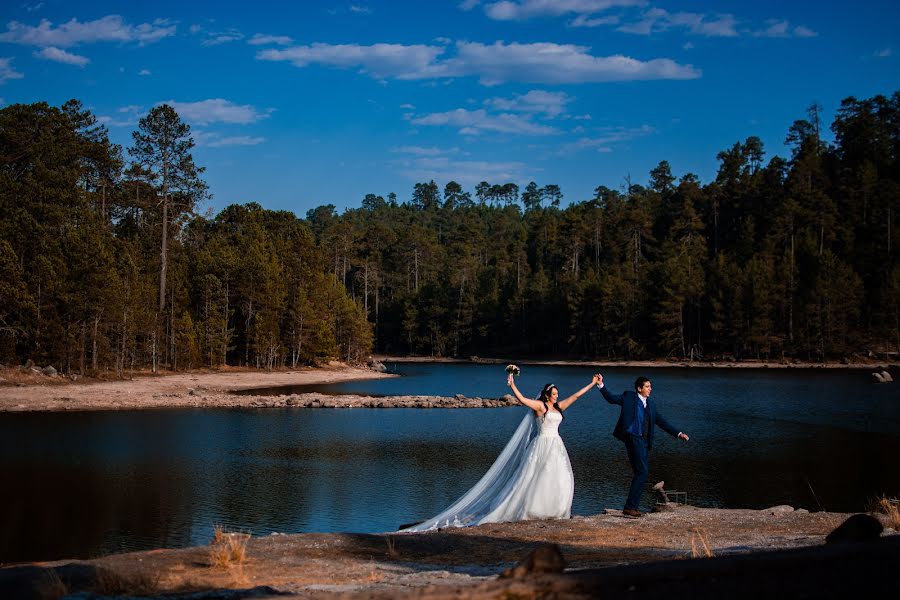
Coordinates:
(448,563)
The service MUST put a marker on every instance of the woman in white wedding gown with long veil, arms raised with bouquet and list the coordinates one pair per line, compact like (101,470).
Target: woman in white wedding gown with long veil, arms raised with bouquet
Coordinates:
(531,479)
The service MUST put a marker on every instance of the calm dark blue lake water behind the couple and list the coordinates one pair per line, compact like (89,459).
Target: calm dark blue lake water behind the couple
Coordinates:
(84,484)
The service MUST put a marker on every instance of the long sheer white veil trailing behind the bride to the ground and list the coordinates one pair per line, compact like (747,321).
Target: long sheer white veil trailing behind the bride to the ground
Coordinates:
(491,489)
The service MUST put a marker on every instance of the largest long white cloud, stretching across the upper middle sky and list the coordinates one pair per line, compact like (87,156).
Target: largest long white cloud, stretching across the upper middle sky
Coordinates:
(492,64)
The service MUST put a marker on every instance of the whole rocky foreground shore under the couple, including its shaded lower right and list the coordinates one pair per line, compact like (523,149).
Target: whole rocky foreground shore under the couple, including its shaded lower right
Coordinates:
(741,554)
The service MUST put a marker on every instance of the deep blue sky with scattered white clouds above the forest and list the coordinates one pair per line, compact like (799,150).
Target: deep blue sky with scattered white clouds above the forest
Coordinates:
(299,104)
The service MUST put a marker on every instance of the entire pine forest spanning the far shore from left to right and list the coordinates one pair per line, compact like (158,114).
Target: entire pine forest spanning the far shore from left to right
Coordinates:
(107,267)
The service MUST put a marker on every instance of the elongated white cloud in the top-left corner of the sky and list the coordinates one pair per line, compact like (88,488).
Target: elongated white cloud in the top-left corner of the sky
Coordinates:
(110,28)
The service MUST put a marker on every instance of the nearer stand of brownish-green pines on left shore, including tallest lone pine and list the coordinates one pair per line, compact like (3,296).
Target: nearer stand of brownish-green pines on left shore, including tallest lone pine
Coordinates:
(88,283)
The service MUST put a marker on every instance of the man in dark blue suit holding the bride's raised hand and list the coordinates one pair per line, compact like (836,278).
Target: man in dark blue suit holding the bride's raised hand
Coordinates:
(637,421)
